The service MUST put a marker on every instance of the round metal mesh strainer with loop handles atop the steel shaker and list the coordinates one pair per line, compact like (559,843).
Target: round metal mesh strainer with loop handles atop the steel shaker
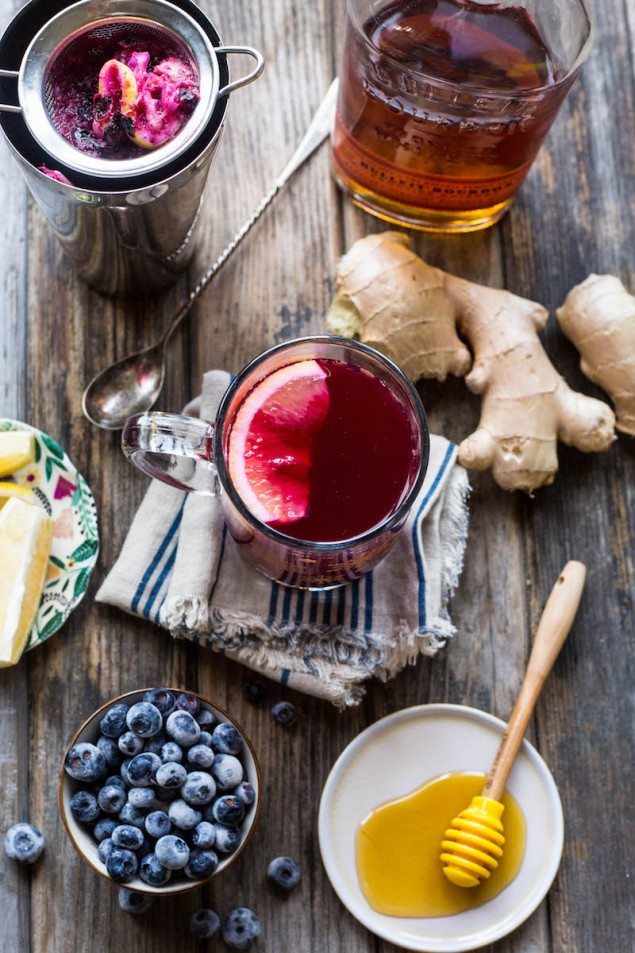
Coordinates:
(152,21)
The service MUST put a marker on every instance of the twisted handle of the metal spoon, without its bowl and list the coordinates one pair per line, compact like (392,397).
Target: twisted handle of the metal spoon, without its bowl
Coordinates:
(317,132)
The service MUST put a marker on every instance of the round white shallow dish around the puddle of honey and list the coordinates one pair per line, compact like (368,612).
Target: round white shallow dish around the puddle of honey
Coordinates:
(399,754)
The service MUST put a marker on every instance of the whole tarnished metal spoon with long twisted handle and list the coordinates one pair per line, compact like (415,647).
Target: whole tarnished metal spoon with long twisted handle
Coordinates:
(132,385)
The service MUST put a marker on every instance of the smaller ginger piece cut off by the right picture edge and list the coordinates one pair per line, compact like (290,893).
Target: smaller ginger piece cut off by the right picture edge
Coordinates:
(598,317)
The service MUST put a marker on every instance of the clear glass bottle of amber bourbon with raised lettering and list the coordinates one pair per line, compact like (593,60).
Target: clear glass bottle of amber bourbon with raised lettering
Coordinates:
(443,104)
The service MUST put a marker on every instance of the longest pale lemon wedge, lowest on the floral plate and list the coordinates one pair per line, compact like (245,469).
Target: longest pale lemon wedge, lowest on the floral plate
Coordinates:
(25,544)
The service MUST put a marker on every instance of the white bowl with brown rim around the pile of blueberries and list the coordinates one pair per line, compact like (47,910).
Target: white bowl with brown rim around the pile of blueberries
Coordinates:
(85,844)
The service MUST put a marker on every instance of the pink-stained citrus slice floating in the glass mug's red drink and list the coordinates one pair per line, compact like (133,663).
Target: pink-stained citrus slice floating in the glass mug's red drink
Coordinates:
(270,444)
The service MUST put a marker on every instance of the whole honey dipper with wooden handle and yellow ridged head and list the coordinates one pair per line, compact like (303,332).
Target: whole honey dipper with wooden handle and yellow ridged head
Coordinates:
(474,841)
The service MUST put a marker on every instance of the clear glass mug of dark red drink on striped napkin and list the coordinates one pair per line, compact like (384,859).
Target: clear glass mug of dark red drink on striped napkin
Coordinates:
(363,391)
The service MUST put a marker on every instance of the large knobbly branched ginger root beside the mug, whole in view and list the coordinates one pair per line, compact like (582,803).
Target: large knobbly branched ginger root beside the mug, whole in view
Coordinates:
(412,312)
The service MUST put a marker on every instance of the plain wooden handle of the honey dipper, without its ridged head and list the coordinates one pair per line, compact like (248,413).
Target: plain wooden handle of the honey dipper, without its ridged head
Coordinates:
(553,628)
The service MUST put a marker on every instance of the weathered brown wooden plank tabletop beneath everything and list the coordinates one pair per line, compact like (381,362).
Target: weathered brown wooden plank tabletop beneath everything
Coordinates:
(574,215)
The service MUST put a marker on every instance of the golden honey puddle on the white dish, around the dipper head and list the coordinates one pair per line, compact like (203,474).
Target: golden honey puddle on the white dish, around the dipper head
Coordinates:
(399,843)
